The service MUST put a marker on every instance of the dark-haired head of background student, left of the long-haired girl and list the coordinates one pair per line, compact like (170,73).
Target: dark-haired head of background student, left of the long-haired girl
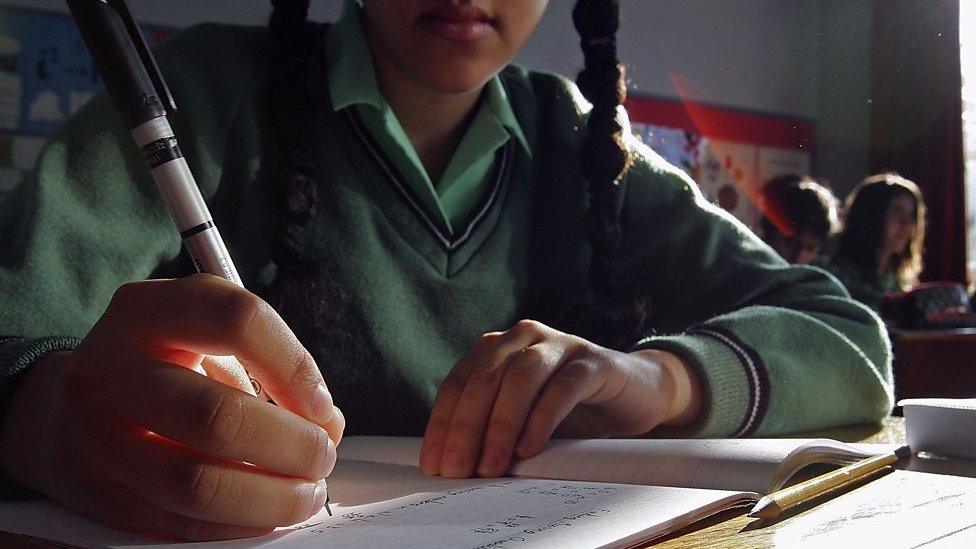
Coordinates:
(799,217)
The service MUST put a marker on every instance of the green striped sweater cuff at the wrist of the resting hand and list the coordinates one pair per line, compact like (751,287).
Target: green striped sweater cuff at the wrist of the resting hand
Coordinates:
(732,375)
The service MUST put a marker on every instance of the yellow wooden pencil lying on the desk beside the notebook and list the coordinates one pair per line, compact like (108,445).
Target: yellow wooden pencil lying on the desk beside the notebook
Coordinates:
(770,506)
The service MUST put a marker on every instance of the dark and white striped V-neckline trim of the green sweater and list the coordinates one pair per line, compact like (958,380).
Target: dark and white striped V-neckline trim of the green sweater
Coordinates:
(447,241)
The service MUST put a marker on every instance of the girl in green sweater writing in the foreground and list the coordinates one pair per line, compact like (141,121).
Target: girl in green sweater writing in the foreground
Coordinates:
(461,248)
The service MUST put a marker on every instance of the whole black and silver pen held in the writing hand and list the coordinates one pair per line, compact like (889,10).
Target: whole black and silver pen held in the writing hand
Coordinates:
(140,96)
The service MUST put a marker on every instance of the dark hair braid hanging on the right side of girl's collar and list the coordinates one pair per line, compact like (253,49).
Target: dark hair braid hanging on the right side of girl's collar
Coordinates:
(611,318)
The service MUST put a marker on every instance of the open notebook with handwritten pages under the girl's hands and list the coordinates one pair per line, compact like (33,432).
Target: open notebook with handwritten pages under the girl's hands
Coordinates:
(581,493)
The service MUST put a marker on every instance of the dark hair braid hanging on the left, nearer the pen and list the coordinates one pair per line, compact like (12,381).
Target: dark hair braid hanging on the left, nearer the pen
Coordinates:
(305,291)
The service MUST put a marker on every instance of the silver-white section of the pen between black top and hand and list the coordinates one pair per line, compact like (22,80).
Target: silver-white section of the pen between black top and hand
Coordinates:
(182,195)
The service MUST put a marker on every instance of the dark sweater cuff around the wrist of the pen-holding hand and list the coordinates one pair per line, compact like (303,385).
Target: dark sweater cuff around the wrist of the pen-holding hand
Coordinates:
(17,355)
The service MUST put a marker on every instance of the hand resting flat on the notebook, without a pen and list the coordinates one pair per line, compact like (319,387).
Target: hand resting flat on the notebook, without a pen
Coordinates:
(514,389)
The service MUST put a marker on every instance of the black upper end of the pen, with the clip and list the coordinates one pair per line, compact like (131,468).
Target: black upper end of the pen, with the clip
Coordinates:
(123,72)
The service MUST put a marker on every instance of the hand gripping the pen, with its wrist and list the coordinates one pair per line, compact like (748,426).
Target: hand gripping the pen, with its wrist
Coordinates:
(124,430)
